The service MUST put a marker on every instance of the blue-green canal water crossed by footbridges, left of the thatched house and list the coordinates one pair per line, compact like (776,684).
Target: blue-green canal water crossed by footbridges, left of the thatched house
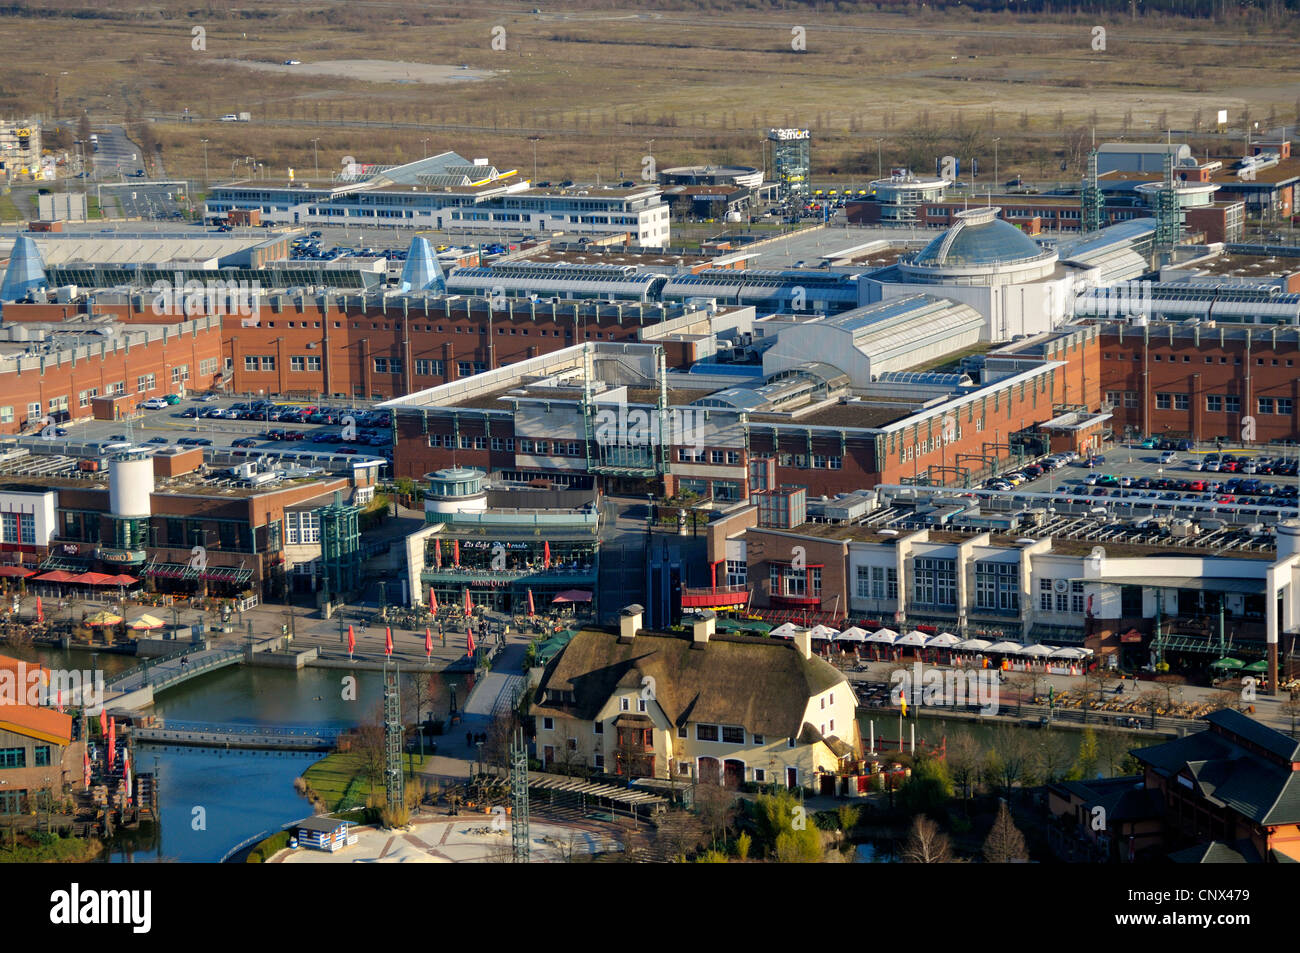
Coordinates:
(211,800)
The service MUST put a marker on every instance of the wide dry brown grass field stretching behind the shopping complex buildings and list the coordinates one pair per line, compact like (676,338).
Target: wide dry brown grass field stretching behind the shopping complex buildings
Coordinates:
(599,84)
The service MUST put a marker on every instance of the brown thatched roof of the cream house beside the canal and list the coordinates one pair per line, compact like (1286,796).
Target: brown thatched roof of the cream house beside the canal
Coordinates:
(759,683)
